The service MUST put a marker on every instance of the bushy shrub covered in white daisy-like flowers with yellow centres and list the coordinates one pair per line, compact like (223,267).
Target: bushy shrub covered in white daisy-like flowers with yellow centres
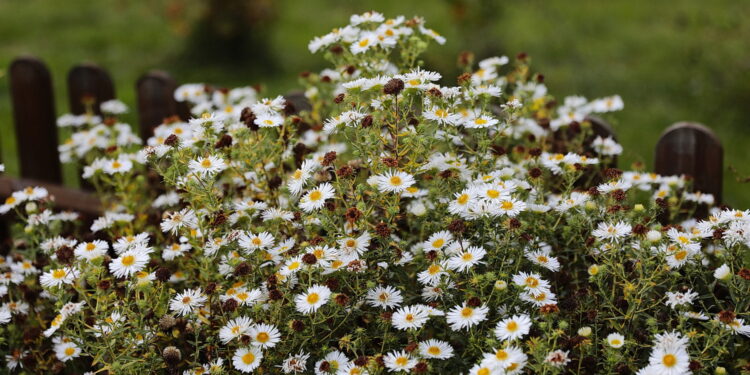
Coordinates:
(395,225)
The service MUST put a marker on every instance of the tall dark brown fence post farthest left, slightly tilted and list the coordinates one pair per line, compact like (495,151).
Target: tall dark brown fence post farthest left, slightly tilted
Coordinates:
(35,119)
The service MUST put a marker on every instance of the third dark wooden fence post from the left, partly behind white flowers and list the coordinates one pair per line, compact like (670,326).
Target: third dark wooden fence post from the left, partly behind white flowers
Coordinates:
(156,101)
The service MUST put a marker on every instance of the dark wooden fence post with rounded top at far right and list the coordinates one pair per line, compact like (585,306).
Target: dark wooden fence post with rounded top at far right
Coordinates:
(694,150)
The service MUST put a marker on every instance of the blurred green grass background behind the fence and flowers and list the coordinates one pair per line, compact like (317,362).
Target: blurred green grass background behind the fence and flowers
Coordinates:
(670,61)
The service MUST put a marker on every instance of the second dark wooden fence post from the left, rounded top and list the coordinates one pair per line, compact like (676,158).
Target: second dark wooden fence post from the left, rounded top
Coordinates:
(88,84)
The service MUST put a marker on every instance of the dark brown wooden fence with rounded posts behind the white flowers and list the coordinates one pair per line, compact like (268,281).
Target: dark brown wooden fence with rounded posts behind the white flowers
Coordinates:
(684,148)
